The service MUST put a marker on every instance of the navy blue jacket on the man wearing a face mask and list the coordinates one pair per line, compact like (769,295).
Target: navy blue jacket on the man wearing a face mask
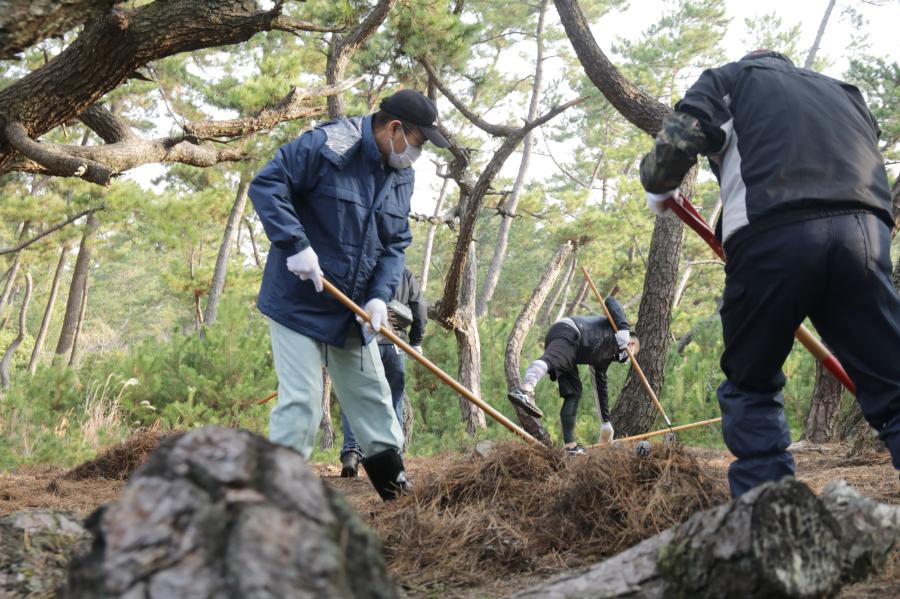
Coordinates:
(329,189)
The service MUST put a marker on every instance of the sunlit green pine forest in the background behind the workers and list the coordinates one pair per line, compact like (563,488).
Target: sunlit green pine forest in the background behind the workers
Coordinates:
(139,311)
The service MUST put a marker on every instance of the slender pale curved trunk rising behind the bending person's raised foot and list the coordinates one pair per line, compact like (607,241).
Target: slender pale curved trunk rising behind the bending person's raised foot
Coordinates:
(524,322)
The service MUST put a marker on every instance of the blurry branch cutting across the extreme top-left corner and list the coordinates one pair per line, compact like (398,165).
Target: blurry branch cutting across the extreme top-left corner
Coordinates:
(24,23)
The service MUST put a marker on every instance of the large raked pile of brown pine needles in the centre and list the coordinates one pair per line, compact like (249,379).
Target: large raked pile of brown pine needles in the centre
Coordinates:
(531,509)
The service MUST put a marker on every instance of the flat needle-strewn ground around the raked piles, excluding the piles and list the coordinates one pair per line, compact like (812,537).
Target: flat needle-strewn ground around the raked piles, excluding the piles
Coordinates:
(872,474)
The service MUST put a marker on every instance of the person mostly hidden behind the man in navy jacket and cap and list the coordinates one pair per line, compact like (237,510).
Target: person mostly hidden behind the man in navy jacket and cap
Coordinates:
(394,361)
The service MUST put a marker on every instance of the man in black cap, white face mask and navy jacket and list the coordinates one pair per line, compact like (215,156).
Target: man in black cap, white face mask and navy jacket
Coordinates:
(334,203)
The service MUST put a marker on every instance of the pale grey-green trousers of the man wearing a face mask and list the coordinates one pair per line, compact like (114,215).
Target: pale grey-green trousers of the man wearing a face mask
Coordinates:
(359,382)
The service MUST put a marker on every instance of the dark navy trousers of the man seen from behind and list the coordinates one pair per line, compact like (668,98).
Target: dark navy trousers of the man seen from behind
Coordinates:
(835,270)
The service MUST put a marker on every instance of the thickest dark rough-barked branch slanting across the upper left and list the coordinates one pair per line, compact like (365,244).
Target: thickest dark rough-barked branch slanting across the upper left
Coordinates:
(111,49)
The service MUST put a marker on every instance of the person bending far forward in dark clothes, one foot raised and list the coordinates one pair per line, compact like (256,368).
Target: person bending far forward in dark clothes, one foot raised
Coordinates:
(569,342)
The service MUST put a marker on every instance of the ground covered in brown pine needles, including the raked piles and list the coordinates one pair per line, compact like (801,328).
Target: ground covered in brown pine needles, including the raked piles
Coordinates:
(488,525)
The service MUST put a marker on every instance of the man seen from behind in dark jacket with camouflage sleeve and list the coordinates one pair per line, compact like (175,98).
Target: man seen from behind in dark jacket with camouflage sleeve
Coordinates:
(806,227)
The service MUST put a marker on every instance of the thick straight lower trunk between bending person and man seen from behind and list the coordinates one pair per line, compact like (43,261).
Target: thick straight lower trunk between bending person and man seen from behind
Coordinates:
(634,412)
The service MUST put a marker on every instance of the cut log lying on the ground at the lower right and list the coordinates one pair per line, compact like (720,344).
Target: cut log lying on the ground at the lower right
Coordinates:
(778,540)
